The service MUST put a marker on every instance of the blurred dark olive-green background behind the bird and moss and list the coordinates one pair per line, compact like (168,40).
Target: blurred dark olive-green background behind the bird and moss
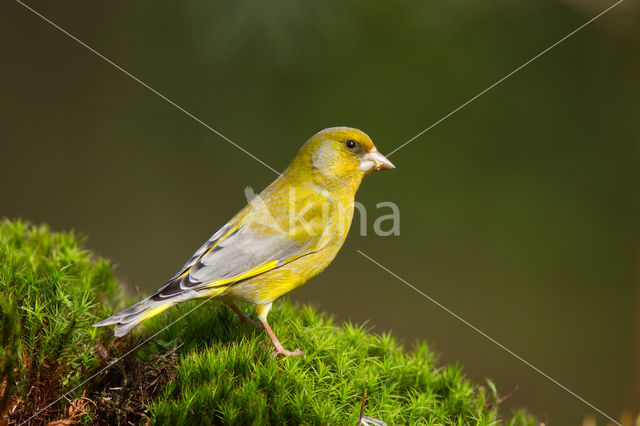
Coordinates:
(519,213)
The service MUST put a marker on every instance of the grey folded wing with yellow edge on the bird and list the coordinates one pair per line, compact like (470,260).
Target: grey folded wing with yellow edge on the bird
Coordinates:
(234,253)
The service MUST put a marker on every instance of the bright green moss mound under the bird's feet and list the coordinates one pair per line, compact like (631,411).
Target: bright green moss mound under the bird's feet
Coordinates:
(226,374)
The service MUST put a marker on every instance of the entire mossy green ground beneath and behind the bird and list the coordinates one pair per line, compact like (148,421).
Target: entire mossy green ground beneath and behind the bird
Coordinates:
(206,368)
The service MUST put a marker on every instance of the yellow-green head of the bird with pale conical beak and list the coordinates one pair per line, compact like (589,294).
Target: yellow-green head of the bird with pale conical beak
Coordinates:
(340,156)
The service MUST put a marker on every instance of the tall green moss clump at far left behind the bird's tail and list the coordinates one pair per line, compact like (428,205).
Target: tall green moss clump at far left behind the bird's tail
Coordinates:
(51,290)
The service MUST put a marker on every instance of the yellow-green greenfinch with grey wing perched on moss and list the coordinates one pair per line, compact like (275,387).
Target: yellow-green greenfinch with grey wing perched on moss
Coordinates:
(286,235)
